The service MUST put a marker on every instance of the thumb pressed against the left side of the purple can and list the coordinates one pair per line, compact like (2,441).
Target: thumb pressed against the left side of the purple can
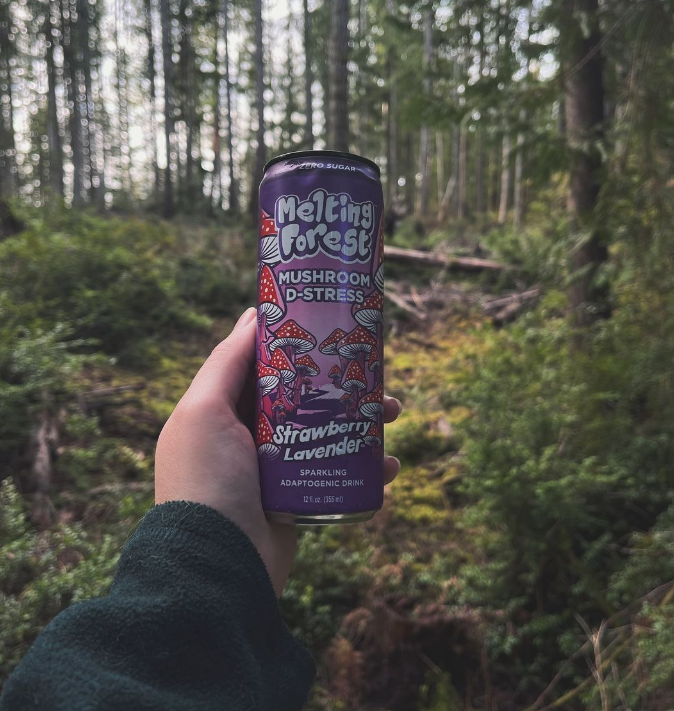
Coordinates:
(224,373)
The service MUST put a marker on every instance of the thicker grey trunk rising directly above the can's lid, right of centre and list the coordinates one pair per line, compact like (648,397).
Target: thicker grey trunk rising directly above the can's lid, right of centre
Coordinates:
(338,138)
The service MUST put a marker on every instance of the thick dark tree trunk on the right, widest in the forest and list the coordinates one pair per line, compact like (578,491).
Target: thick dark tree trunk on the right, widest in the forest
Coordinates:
(584,94)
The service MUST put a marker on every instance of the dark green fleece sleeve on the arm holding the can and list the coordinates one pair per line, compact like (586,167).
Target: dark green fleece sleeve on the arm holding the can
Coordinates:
(191,622)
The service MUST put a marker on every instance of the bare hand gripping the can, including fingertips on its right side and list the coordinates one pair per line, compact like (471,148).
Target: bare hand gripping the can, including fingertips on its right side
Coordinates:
(206,452)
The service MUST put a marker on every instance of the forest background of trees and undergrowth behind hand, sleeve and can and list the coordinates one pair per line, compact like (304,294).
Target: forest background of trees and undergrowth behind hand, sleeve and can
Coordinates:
(524,559)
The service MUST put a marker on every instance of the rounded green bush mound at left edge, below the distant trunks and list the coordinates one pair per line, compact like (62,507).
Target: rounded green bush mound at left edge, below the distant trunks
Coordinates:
(114,281)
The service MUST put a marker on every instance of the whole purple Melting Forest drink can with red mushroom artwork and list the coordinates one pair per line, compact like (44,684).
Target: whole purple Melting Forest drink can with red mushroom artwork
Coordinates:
(319,420)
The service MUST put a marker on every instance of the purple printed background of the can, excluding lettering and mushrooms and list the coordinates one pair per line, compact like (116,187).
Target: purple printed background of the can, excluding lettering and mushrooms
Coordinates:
(291,177)
